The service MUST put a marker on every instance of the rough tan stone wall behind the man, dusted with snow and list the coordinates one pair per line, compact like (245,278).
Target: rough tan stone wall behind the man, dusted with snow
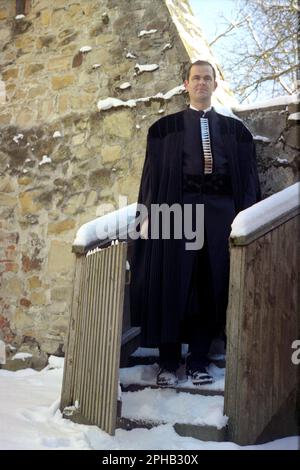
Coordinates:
(61,159)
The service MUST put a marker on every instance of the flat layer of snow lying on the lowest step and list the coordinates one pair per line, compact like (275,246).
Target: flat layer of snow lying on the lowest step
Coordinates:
(167,406)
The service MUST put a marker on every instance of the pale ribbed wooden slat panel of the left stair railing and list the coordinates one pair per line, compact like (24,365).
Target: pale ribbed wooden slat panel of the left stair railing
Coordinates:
(90,382)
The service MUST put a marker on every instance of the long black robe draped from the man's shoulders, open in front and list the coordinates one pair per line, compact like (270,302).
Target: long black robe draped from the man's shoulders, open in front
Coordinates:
(158,285)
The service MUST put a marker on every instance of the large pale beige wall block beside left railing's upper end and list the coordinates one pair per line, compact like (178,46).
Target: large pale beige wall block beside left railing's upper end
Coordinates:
(60,258)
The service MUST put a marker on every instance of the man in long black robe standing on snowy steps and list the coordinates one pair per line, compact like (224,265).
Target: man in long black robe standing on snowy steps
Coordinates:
(195,156)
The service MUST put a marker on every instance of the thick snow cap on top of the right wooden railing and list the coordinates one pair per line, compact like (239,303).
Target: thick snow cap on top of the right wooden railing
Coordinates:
(265,212)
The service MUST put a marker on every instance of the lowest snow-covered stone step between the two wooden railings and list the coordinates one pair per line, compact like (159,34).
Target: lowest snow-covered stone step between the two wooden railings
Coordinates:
(200,417)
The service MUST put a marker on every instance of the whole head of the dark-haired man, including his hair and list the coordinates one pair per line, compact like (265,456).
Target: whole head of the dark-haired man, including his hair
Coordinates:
(200,83)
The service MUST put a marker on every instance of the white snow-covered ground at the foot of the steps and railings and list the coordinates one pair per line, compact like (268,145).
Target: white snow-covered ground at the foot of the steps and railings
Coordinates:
(30,419)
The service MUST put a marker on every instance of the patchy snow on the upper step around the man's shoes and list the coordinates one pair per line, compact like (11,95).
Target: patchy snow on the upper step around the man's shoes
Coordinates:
(146,375)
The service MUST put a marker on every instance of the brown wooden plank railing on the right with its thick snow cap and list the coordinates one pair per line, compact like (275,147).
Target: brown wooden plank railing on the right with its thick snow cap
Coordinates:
(263,320)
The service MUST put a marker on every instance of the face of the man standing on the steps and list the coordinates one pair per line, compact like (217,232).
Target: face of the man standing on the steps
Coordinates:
(201,83)
